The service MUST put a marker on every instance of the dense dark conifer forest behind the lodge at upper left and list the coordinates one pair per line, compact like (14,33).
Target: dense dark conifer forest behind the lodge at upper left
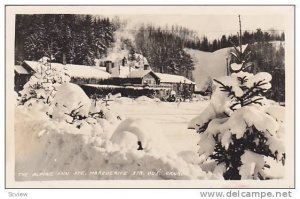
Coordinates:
(75,39)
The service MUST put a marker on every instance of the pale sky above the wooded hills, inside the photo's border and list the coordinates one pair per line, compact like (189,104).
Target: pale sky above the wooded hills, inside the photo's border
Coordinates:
(213,26)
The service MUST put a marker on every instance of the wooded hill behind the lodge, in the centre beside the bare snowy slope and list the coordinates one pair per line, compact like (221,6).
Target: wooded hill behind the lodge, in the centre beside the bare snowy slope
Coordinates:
(164,49)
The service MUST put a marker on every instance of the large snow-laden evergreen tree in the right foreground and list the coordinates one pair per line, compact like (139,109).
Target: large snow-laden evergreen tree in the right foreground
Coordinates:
(240,126)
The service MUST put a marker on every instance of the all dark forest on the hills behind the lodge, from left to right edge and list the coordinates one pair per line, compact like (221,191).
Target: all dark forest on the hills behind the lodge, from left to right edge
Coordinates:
(80,39)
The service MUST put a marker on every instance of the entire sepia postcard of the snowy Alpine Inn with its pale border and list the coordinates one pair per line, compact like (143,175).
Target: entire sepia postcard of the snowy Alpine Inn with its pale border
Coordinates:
(150,96)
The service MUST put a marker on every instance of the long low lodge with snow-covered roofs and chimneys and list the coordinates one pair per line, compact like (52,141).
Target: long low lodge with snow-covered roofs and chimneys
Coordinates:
(112,77)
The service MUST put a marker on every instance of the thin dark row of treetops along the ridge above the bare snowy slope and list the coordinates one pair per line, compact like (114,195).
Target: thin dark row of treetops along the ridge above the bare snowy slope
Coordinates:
(224,42)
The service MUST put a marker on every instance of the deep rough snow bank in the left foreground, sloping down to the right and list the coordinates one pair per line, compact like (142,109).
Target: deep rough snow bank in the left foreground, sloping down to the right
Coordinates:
(94,147)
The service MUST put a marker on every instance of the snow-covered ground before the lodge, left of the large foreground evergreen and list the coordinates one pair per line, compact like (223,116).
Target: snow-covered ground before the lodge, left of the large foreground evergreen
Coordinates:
(88,140)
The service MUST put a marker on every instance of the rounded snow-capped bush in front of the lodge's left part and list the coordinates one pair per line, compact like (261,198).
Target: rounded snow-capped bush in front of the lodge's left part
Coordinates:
(73,107)
